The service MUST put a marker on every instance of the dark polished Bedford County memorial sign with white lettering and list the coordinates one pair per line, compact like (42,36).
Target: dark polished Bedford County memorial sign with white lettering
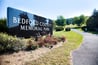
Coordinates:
(24,24)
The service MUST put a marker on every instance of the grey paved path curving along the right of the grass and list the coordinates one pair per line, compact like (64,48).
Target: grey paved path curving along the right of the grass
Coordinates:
(87,53)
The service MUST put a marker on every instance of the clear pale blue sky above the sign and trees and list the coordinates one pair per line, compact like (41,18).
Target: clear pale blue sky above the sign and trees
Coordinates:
(51,8)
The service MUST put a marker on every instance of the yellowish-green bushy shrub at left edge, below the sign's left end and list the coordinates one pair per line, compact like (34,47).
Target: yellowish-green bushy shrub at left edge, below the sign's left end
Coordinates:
(10,43)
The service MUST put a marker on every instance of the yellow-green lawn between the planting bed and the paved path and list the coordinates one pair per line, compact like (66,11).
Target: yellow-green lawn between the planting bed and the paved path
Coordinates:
(61,55)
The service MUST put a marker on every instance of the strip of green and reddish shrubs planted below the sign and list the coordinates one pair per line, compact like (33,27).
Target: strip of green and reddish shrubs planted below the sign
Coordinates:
(13,44)
